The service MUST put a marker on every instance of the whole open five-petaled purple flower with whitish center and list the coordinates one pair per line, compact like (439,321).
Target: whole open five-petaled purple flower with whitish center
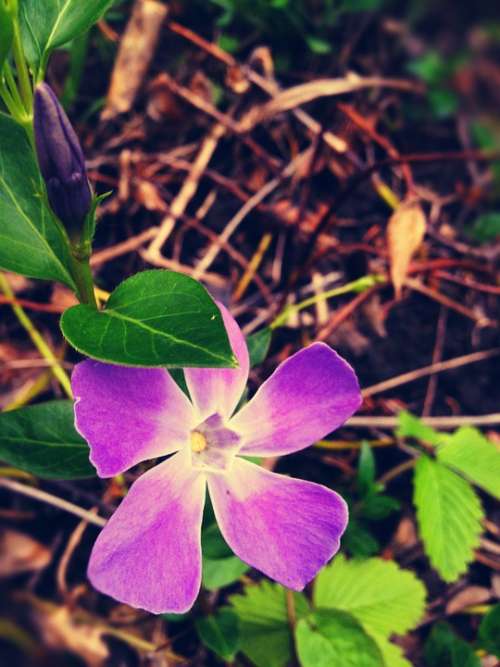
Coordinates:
(149,553)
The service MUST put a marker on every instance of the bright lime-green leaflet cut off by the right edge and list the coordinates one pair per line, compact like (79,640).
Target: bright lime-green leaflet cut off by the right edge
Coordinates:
(475,457)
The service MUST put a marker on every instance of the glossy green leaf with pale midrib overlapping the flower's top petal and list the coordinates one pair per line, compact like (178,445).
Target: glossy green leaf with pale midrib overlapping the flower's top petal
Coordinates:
(155,318)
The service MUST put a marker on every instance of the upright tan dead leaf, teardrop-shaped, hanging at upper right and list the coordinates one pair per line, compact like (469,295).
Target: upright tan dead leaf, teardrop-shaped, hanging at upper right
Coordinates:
(405,233)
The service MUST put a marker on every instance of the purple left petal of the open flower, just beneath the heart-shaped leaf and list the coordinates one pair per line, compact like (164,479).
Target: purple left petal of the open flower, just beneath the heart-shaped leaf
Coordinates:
(128,415)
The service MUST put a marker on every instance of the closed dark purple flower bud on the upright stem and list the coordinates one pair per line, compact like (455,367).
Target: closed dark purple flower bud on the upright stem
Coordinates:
(61,160)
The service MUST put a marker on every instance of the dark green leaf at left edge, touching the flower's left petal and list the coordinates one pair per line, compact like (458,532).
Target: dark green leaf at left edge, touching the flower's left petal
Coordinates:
(42,440)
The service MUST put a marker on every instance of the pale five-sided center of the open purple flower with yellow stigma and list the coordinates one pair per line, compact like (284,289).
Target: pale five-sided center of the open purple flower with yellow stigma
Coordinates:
(213,446)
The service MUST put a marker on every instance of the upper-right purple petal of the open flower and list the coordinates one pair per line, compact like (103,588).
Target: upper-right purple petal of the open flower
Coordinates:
(309,395)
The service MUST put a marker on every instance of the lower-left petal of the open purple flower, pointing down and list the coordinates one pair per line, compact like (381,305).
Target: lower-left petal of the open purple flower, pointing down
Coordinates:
(149,553)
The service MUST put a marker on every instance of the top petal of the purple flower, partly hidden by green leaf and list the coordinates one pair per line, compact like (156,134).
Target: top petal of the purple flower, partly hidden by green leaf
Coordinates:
(219,390)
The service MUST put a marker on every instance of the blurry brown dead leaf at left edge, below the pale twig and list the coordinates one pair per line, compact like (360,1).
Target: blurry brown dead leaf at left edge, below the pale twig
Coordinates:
(21,553)
